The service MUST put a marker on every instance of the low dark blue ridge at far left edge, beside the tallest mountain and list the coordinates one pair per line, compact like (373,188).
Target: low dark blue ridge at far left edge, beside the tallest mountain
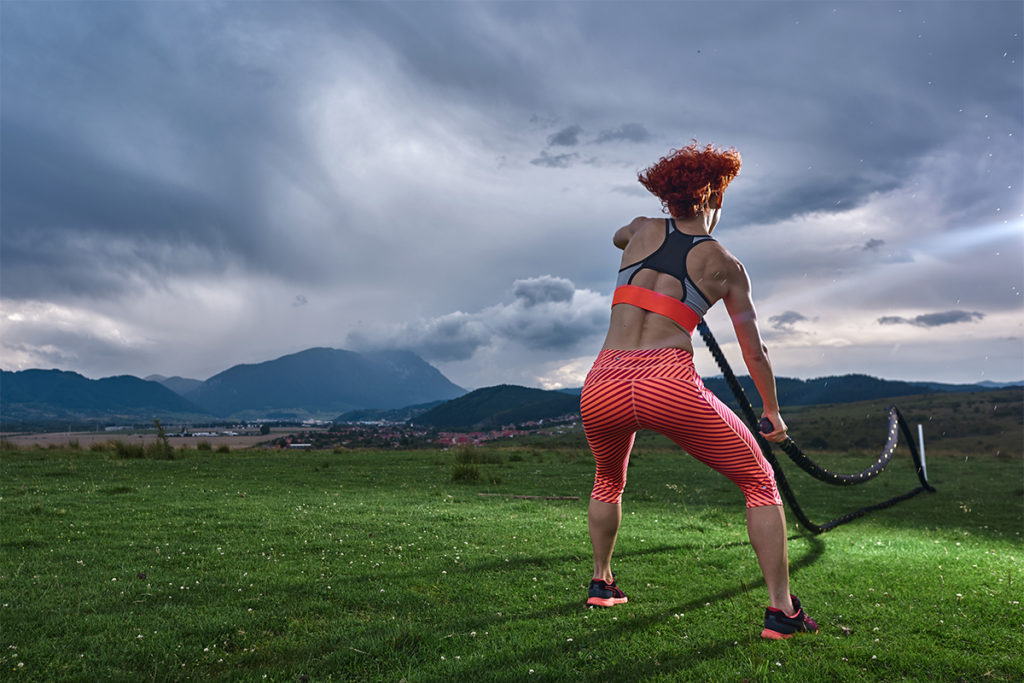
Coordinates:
(34,397)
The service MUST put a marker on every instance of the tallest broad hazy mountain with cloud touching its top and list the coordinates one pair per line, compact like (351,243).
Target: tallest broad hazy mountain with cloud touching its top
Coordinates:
(324,382)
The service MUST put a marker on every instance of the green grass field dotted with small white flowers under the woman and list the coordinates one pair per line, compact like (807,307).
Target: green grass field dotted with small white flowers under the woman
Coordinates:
(373,566)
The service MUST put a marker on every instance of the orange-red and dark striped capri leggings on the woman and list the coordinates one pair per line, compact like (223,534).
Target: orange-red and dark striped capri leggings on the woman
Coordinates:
(660,390)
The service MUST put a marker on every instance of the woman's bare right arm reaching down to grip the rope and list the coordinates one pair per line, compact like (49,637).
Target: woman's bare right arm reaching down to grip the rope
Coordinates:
(745,321)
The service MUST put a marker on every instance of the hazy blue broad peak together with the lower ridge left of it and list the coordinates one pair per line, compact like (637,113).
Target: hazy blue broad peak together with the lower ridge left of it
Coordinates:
(315,383)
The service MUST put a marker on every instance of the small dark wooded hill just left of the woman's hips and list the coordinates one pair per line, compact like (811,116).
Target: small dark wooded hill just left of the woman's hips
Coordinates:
(494,407)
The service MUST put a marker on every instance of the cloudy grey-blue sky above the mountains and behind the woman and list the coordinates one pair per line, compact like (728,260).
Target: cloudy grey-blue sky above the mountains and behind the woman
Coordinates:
(190,186)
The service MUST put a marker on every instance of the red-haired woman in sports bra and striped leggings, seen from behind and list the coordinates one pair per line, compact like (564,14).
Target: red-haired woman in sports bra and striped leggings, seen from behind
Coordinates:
(672,273)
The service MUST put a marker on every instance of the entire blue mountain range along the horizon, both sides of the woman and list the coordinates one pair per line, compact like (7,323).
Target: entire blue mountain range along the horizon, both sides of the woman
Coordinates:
(329,383)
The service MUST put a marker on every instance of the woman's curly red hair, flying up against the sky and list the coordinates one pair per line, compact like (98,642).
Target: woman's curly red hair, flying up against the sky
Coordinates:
(687,180)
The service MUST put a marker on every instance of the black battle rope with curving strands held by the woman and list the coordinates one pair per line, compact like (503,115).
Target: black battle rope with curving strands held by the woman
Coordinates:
(791,449)
